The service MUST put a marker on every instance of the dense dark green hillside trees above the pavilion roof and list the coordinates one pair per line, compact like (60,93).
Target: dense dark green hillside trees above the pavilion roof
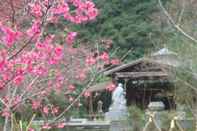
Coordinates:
(128,23)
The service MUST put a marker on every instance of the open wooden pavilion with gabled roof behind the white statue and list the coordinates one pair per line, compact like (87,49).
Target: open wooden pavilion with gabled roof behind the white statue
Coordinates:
(144,80)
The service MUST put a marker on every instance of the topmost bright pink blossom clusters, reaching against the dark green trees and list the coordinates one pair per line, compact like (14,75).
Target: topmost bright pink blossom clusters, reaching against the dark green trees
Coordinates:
(84,10)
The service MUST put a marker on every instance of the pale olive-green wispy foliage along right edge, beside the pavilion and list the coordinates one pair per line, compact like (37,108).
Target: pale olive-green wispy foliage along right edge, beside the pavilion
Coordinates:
(185,49)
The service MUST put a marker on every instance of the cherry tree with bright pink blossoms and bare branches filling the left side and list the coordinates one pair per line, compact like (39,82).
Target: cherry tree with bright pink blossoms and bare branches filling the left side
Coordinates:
(33,63)
